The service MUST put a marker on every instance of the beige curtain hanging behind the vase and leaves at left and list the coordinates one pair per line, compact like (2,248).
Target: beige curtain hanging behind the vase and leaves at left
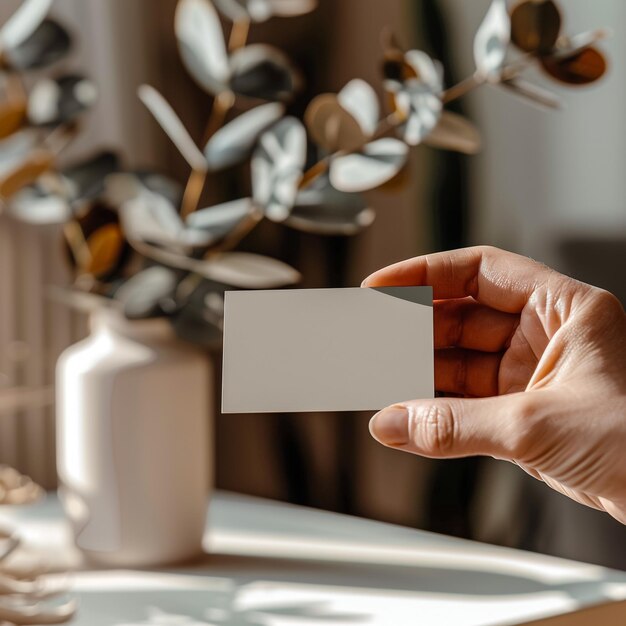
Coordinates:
(113,45)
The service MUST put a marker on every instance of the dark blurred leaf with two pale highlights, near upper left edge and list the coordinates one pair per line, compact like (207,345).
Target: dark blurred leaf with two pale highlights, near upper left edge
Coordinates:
(59,101)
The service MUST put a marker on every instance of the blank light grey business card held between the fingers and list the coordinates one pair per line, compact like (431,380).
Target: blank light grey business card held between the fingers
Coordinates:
(326,349)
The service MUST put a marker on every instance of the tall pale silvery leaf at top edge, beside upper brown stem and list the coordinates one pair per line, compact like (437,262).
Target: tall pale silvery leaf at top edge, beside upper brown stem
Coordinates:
(201,44)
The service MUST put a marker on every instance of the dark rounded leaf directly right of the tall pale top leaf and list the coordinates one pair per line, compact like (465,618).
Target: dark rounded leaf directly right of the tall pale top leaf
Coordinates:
(263,72)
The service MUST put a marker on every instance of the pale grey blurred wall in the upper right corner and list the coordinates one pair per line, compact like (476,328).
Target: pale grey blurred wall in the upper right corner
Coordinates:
(547,175)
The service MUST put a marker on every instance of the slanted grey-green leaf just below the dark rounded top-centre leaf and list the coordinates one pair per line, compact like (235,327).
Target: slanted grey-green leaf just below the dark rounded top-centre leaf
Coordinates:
(234,141)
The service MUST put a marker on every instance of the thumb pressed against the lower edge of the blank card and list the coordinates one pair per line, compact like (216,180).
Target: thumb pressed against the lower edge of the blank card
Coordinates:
(500,426)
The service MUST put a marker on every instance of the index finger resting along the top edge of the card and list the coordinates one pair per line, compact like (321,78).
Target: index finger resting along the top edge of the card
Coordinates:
(499,279)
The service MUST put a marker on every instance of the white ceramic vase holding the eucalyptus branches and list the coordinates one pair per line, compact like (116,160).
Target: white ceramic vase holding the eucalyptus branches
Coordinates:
(133,442)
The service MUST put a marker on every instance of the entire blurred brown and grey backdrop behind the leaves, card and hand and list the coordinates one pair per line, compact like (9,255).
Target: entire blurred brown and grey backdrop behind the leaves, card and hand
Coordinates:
(547,184)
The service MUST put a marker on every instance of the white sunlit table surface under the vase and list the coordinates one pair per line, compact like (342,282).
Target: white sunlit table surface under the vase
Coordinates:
(271,564)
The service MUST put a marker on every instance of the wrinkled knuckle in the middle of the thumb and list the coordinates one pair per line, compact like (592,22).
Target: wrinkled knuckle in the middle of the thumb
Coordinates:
(432,429)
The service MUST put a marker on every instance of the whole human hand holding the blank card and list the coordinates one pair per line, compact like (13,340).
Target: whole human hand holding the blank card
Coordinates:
(536,364)
